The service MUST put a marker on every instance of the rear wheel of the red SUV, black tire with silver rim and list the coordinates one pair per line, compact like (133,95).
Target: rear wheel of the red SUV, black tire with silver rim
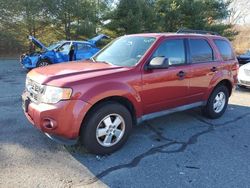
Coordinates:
(221,96)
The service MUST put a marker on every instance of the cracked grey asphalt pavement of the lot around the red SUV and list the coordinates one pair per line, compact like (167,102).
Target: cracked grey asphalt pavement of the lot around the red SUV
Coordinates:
(179,150)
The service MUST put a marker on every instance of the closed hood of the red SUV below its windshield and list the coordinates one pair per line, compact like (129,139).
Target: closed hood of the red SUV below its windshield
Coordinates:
(63,73)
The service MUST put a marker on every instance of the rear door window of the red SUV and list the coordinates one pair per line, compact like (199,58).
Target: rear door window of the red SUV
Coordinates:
(200,51)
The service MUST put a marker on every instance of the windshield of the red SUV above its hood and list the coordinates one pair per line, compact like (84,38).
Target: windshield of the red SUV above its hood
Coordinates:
(125,51)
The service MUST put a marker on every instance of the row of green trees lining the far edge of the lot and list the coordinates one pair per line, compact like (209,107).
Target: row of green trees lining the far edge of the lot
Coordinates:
(53,20)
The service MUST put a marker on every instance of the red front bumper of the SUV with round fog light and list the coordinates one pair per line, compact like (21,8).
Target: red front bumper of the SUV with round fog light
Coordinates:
(63,119)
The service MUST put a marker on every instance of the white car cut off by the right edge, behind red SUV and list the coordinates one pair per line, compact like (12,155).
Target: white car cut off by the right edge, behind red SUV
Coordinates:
(244,75)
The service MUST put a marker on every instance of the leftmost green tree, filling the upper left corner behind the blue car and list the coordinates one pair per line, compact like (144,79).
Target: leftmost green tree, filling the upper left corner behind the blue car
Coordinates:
(20,19)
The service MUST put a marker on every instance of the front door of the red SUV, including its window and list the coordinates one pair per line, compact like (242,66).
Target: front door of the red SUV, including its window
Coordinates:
(167,88)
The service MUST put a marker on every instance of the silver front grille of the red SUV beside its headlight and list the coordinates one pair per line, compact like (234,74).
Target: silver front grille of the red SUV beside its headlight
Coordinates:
(34,89)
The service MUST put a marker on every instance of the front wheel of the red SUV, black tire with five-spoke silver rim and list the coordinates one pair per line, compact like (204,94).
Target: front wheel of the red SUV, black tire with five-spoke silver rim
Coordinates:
(105,117)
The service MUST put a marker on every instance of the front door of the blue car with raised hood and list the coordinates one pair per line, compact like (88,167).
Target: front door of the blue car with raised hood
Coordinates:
(62,53)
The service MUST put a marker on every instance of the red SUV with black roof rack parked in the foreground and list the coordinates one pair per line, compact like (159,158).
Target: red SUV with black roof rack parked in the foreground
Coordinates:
(134,78)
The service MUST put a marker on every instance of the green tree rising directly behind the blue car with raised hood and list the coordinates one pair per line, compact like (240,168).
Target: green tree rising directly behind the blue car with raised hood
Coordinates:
(77,17)
